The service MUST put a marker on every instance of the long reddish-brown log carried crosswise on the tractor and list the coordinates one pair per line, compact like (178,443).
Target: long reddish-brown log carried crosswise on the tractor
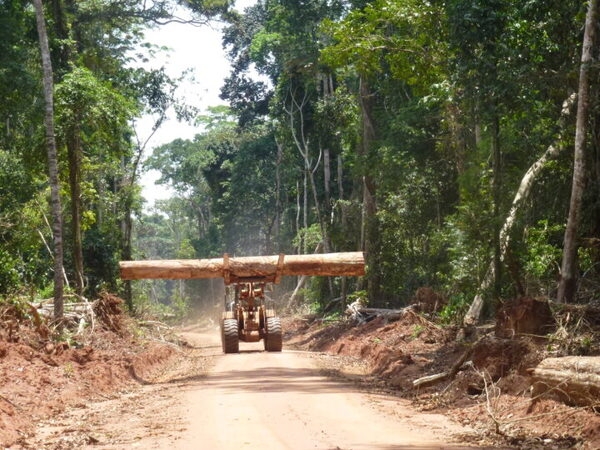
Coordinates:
(268,268)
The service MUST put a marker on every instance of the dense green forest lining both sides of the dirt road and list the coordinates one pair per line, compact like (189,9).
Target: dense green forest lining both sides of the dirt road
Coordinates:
(406,129)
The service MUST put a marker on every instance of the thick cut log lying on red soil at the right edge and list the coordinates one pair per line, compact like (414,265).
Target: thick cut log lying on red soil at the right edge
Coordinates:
(574,380)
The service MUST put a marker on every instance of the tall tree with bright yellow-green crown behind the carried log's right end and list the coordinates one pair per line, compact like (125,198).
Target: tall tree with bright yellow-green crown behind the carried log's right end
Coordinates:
(374,50)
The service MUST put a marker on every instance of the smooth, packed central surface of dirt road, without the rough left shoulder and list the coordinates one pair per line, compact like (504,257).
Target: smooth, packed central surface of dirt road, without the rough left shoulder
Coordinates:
(260,400)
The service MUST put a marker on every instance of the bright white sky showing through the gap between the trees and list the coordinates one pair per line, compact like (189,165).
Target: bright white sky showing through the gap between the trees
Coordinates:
(196,48)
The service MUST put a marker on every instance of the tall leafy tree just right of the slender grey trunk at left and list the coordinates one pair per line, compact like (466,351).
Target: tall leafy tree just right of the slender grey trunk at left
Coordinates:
(101,96)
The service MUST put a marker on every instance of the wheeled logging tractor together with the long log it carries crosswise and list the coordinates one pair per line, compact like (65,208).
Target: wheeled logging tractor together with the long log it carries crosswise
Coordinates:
(246,317)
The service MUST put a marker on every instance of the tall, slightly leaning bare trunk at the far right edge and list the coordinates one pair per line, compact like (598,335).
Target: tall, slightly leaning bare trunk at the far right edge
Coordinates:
(568,276)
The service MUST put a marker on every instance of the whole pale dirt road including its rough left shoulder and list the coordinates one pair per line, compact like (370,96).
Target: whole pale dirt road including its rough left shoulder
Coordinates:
(253,400)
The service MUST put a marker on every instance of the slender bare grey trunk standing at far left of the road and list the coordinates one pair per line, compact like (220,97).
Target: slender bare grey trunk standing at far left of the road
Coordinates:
(52,162)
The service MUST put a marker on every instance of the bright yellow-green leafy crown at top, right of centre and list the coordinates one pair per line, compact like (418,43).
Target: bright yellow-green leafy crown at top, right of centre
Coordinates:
(386,35)
